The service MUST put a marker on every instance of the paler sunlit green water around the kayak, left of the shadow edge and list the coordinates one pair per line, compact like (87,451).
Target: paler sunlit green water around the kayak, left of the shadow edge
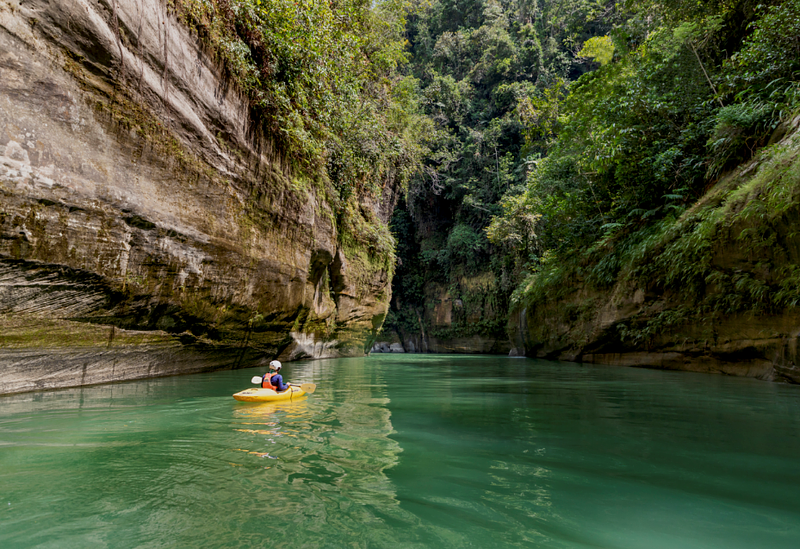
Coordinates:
(178,462)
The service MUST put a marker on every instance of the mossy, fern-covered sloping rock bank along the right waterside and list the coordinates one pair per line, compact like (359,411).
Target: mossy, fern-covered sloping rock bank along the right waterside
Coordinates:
(739,246)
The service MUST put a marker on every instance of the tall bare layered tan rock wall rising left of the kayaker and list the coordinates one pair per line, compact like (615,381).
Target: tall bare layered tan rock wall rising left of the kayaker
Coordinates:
(147,225)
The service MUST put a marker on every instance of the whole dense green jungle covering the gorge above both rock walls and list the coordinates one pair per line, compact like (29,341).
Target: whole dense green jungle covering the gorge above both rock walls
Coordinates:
(541,144)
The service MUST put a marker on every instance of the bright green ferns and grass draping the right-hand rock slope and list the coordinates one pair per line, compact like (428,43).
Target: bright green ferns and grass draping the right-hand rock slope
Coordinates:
(725,256)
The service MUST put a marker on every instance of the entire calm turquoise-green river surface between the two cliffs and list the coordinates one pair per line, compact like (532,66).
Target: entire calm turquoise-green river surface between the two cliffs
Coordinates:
(407,451)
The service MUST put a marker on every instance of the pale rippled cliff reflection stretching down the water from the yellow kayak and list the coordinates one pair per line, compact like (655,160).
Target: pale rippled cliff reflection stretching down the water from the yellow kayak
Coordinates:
(326,478)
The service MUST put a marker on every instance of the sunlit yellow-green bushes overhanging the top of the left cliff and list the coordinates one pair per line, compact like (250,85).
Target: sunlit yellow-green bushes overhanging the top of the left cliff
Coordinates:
(323,78)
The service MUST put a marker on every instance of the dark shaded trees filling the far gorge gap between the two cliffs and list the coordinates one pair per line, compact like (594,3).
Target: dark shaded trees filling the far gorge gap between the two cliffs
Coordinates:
(491,77)
